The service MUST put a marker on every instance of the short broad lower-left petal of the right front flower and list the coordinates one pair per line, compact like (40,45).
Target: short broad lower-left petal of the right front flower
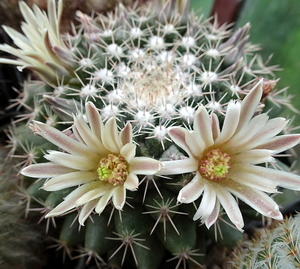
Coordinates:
(192,191)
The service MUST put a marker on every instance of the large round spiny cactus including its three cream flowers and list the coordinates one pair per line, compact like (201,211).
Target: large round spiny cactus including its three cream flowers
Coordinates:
(138,117)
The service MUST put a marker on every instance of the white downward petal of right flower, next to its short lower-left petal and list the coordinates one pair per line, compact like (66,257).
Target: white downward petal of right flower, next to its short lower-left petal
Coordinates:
(207,204)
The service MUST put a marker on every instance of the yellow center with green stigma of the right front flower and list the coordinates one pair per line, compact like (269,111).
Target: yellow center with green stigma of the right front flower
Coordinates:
(214,165)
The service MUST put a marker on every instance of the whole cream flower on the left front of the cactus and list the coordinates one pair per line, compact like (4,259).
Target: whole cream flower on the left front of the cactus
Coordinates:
(101,162)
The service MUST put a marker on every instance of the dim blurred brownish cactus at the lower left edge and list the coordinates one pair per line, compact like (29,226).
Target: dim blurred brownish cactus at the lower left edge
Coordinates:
(21,239)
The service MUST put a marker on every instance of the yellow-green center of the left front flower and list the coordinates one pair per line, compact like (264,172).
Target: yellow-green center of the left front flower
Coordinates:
(113,169)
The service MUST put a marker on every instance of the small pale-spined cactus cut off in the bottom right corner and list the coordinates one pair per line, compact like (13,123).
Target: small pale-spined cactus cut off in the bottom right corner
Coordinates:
(275,247)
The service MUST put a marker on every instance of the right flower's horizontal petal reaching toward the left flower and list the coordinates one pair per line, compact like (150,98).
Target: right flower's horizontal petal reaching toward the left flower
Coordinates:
(178,167)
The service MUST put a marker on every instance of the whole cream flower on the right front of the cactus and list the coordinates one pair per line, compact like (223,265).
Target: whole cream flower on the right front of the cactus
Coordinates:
(225,161)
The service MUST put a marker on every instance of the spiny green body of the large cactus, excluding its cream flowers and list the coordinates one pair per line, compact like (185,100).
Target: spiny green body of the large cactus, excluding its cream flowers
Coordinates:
(152,68)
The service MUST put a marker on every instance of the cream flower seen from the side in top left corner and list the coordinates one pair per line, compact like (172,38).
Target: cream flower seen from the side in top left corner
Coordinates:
(41,48)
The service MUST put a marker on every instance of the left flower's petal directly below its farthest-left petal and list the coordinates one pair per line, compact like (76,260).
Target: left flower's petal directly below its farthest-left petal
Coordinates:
(69,180)
